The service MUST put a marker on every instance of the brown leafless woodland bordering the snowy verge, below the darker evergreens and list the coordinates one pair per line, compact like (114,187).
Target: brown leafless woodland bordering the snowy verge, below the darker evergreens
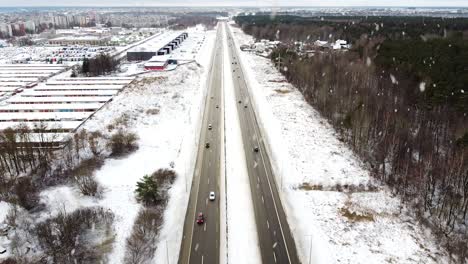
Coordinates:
(412,140)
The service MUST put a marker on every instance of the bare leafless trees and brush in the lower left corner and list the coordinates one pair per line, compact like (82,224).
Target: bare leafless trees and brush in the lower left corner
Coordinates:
(31,162)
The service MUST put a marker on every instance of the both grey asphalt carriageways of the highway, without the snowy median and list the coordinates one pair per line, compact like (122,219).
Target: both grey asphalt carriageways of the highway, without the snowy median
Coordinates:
(201,242)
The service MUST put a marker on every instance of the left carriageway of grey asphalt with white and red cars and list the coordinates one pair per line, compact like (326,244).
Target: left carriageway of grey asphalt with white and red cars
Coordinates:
(201,242)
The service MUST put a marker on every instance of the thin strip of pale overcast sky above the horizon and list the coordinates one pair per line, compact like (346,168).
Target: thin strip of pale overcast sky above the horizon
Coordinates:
(234,3)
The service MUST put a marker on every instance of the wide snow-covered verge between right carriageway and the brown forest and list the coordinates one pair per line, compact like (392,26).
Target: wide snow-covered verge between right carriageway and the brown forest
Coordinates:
(357,224)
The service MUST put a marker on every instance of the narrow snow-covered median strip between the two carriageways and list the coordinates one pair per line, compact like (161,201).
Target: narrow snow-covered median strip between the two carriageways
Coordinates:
(240,212)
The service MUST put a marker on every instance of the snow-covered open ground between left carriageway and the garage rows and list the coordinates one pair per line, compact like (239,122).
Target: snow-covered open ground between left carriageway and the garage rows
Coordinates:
(163,109)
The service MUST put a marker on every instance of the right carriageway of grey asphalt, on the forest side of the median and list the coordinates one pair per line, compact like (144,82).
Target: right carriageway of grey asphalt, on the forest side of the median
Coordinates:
(274,235)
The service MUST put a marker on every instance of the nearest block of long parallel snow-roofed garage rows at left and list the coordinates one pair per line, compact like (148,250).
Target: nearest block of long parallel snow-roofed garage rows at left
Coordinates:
(59,106)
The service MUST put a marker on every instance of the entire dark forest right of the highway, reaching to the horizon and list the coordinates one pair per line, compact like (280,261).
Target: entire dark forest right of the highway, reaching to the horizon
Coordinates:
(399,98)
